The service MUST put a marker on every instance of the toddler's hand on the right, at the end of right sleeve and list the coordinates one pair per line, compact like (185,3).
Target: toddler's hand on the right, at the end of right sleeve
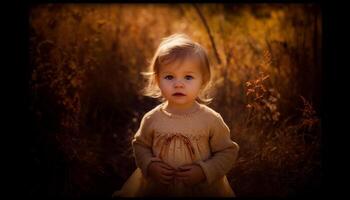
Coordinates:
(190,174)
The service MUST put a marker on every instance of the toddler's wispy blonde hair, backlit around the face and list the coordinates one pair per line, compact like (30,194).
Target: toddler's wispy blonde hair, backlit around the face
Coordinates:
(172,48)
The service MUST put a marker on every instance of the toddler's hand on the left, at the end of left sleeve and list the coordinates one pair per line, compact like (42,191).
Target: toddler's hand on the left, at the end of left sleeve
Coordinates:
(161,172)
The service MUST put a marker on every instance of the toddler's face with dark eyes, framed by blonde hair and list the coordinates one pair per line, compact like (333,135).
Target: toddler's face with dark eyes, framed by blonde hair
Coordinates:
(180,82)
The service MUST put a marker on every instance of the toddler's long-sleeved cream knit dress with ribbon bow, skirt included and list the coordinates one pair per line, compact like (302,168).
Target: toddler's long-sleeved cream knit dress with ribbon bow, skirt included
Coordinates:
(200,137)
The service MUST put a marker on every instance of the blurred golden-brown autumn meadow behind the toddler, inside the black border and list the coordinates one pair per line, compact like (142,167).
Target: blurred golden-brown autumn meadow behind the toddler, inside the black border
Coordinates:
(85,105)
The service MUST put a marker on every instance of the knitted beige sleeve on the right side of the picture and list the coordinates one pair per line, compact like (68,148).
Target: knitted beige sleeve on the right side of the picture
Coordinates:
(224,151)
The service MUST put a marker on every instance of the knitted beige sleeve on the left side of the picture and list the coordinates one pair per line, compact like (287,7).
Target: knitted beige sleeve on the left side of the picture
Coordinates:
(142,145)
